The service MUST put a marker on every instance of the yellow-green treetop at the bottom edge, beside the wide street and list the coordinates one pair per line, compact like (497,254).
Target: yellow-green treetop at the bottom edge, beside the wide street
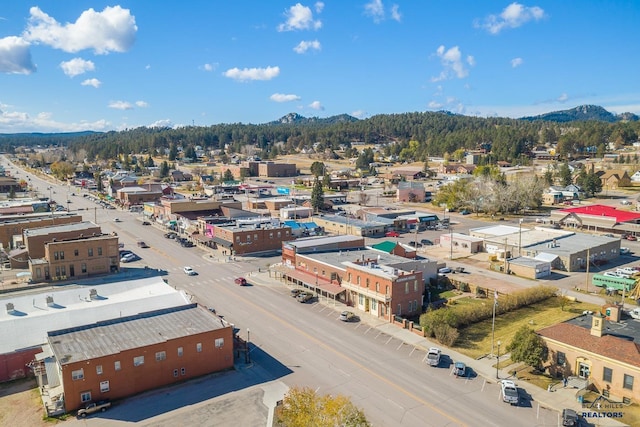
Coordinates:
(303,407)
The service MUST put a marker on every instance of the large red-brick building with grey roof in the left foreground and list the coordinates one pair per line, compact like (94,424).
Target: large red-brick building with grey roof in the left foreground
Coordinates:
(128,355)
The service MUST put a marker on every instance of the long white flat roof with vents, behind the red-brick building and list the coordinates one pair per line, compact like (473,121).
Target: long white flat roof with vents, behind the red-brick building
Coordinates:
(32,318)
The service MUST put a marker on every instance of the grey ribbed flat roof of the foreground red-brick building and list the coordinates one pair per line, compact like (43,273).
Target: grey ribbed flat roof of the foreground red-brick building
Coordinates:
(119,334)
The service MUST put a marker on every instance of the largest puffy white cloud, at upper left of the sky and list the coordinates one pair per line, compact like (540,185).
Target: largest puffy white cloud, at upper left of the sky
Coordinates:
(112,30)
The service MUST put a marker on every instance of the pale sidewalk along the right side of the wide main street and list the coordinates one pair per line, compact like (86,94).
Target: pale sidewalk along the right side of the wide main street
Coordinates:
(557,399)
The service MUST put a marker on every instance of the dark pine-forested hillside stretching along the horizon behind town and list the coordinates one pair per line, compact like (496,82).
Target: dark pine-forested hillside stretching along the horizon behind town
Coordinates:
(411,136)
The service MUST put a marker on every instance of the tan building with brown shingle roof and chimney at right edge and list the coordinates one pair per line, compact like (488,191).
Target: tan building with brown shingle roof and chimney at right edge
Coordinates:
(598,353)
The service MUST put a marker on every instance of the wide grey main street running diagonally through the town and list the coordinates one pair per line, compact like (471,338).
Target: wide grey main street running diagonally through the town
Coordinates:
(306,345)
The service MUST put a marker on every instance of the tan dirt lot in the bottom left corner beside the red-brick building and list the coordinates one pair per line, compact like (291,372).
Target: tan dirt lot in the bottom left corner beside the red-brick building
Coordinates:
(20,404)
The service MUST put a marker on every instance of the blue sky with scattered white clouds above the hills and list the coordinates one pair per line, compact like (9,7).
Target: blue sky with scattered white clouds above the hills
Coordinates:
(90,65)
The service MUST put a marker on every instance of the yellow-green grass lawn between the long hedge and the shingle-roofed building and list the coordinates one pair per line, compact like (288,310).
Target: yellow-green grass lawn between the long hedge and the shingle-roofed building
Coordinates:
(475,340)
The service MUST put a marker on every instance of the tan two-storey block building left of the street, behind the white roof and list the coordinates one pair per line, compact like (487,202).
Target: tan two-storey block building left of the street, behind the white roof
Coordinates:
(75,258)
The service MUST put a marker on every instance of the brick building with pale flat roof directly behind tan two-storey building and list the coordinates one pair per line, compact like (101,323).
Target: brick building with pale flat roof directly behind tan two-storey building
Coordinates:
(35,239)
